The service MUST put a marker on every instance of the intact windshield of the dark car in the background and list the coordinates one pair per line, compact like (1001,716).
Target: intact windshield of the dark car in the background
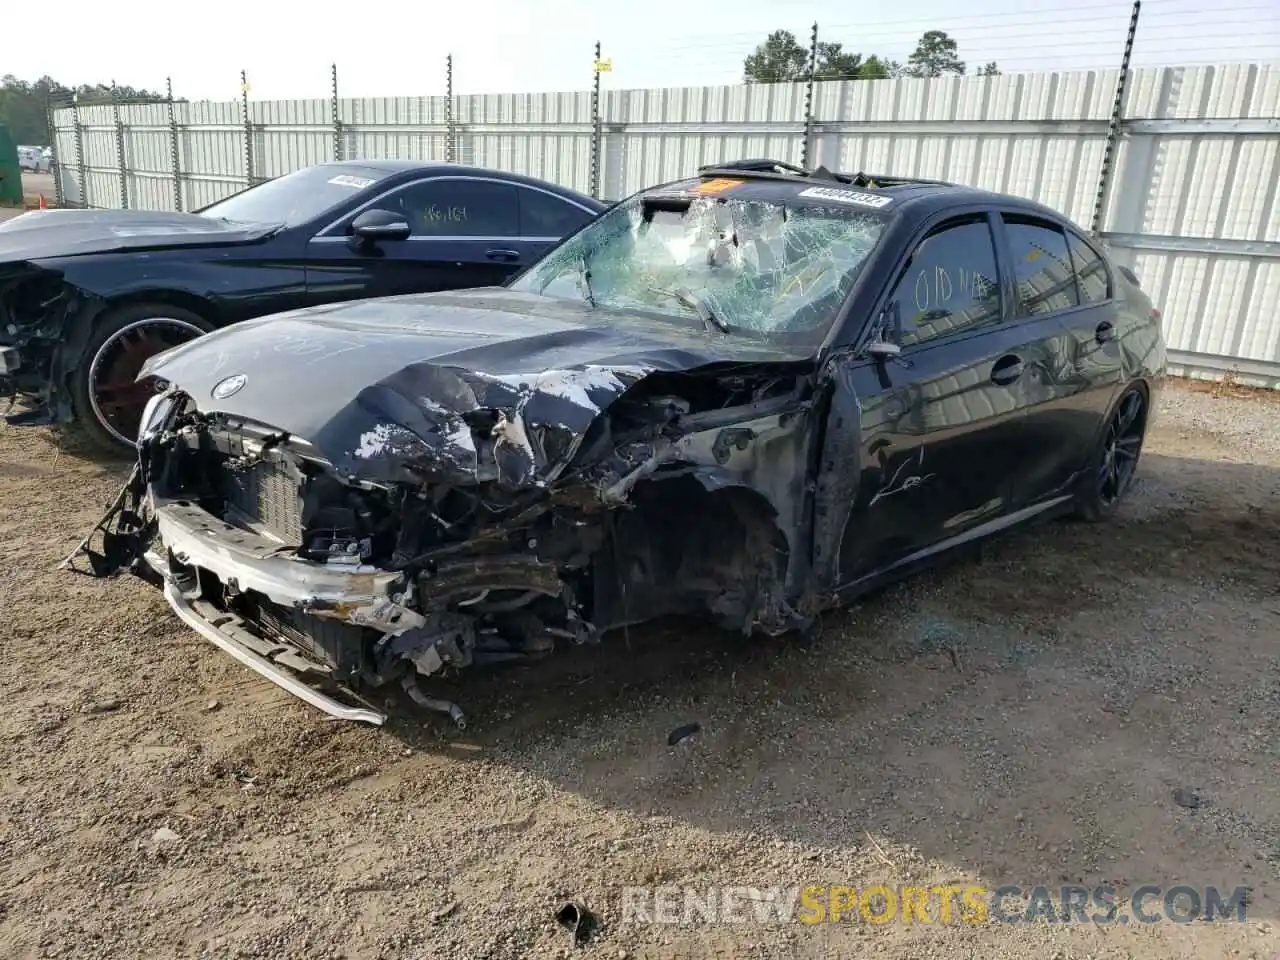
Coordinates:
(295,198)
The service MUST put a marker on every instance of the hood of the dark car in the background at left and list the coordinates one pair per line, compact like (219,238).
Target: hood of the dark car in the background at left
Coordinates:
(58,234)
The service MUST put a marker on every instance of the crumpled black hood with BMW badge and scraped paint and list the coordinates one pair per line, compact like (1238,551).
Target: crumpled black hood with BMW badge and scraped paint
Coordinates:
(429,382)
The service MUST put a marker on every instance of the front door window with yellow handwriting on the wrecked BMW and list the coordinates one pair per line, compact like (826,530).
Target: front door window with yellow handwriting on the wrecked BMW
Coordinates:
(952,284)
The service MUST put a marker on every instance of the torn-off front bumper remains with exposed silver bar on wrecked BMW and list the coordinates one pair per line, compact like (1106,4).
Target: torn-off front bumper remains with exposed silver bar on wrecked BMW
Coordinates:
(204,565)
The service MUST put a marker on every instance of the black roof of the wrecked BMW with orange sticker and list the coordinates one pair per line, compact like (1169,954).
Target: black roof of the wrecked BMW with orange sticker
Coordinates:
(780,182)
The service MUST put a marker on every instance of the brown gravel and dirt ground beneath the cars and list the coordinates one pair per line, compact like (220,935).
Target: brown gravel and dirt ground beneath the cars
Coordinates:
(1095,705)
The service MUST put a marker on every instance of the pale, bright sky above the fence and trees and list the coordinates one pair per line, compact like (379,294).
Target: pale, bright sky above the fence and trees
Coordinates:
(399,48)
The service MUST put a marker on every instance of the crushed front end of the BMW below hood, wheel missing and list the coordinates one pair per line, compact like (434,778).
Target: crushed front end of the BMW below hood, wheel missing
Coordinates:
(335,577)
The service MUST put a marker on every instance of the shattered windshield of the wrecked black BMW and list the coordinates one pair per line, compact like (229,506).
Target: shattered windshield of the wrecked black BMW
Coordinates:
(761,268)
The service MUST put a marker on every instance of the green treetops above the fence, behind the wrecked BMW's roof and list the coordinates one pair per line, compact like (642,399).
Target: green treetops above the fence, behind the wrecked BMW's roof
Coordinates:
(781,58)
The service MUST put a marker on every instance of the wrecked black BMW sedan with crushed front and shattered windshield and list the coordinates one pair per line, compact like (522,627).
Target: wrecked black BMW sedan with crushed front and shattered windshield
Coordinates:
(747,396)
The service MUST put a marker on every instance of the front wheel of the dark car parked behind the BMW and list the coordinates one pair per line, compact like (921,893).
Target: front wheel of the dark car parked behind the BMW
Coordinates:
(106,400)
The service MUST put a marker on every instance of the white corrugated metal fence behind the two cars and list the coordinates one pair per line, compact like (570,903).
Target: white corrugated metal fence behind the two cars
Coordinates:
(1192,205)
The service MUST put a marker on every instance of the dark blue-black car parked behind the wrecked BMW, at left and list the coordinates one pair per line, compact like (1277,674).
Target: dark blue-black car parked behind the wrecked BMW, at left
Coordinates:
(88,296)
